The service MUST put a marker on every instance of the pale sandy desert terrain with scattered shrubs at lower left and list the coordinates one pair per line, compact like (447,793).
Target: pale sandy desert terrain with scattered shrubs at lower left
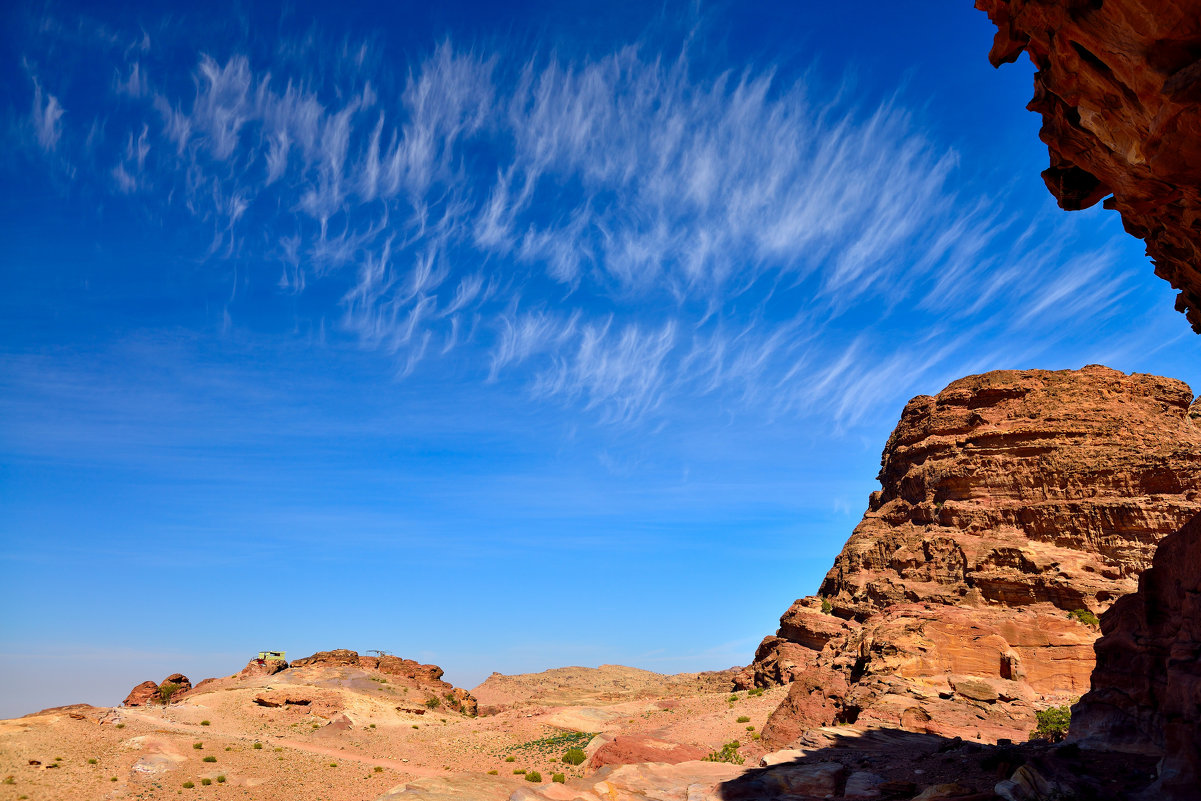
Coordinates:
(350,742)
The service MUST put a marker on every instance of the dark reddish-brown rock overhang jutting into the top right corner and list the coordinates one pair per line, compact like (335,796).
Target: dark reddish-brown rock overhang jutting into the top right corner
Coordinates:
(1119,87)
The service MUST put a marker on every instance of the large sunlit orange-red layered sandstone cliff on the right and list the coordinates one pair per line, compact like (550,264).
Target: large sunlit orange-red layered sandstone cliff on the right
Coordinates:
(1014,507)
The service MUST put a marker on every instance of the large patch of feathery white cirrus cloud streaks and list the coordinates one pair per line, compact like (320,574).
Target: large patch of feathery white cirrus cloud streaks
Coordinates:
(614,234)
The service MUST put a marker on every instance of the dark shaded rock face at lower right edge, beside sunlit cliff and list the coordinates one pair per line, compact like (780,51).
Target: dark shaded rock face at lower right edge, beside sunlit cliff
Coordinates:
(1146,695)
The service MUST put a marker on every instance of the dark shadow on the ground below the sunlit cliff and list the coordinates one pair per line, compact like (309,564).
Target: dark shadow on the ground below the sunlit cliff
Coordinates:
(893,764)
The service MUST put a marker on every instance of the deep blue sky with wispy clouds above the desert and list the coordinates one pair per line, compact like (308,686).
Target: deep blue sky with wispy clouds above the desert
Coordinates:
(503,337)
